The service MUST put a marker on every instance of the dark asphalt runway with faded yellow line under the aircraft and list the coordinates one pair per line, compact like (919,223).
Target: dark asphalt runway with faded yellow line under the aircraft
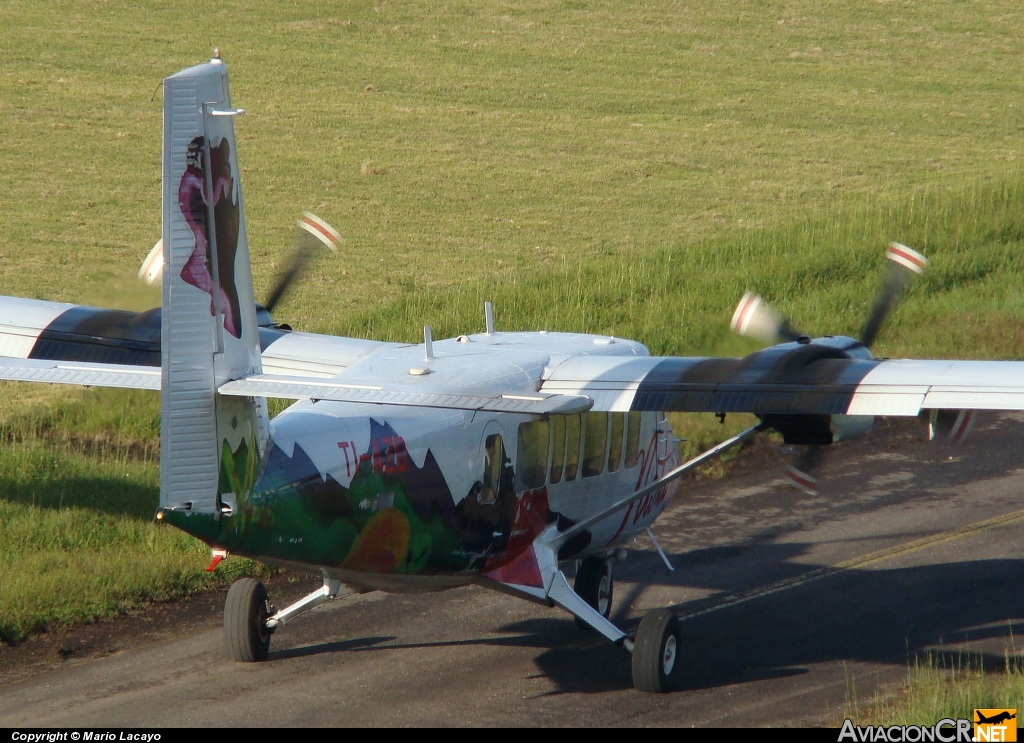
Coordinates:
(793,606)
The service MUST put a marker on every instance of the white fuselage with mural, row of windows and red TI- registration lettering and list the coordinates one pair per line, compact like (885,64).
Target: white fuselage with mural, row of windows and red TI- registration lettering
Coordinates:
(414,499)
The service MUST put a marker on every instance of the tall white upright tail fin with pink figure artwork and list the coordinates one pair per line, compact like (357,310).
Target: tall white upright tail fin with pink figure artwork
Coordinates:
(211,446)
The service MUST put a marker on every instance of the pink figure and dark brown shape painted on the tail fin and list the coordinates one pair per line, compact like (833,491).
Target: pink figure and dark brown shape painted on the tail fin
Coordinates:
(192,199)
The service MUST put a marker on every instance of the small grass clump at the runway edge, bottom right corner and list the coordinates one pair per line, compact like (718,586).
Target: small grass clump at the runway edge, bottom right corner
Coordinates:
(938,688)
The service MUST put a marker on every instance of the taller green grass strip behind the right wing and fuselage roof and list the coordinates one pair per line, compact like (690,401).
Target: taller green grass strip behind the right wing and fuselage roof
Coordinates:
(822,272)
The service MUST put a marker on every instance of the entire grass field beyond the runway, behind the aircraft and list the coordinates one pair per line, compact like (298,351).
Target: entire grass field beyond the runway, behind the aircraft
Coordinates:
(614,167)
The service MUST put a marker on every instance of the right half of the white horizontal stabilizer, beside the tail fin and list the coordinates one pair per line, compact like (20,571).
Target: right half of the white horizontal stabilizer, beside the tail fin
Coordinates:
(298,388)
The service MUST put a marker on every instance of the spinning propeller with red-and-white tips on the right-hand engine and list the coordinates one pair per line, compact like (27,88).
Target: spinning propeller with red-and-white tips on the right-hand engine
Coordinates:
(756,319)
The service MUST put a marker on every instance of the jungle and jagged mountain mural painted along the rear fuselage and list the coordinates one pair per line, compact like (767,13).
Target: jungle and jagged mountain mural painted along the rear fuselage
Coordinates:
(395,517)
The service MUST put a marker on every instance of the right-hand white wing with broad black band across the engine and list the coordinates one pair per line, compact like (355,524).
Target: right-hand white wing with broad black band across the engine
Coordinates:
(779,384)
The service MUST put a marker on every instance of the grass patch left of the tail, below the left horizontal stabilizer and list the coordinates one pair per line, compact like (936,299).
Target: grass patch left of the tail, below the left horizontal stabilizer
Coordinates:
(79,487)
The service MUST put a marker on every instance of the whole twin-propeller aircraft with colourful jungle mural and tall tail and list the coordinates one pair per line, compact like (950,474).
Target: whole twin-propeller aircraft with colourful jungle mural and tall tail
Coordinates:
(487,459)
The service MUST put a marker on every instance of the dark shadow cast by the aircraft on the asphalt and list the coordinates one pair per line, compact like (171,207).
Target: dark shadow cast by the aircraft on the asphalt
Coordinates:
(887,617)
